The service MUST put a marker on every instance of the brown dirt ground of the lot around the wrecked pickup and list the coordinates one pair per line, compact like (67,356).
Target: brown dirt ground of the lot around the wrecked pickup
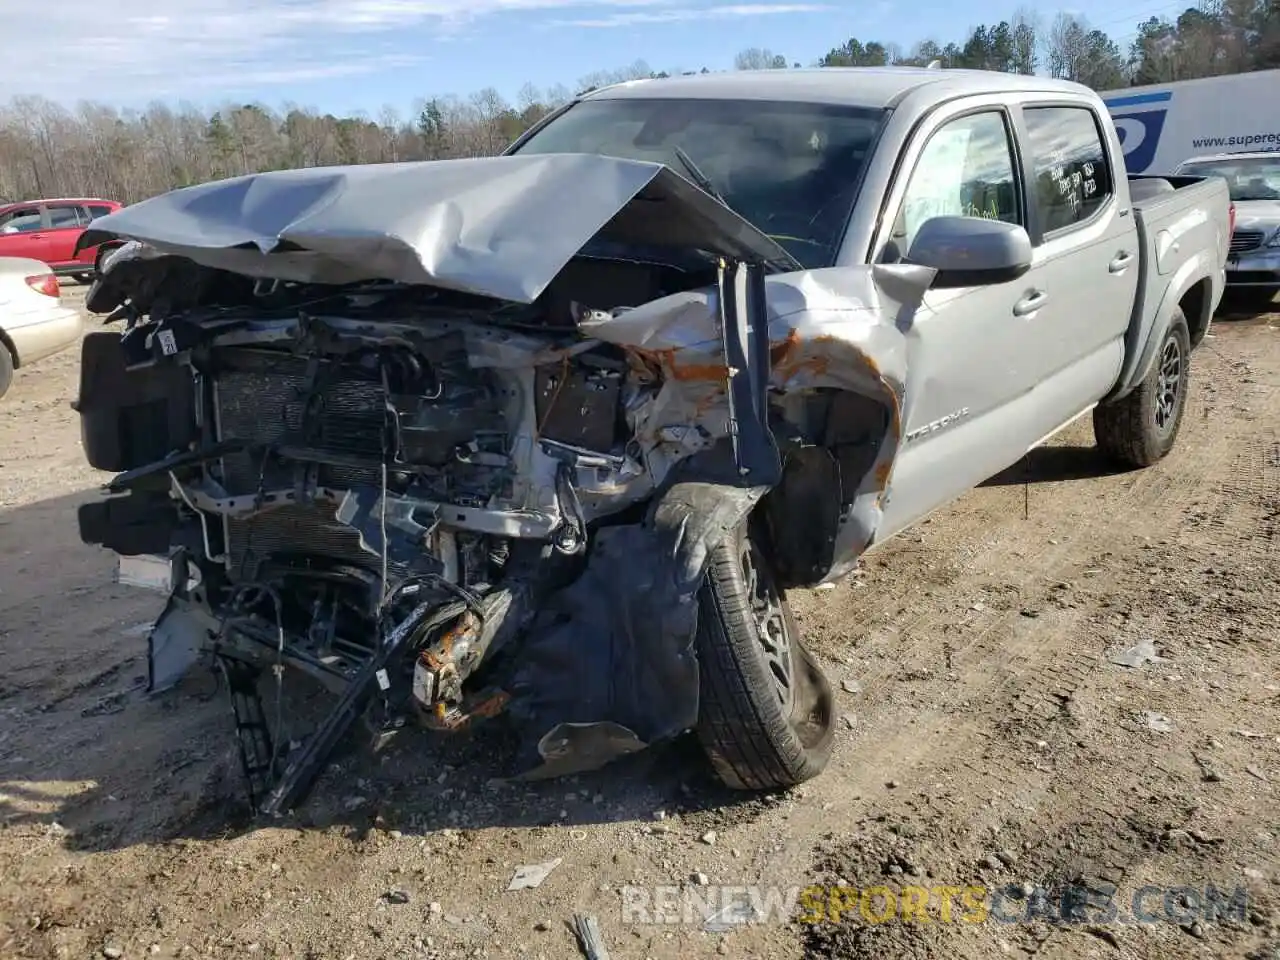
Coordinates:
(988,739)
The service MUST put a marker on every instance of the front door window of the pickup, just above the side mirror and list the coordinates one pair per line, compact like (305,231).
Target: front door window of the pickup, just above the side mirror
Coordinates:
(966,170)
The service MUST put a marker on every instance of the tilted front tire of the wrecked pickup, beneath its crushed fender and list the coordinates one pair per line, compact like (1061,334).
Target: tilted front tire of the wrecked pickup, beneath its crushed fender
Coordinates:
(767,712)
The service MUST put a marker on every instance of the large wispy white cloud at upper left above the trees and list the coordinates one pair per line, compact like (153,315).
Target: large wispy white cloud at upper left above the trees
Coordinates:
(138,51)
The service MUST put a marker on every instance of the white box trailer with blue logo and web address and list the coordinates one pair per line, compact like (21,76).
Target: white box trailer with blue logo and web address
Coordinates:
(1164,125)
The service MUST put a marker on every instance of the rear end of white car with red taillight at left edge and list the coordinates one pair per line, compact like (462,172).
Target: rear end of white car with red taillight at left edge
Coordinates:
(34,322)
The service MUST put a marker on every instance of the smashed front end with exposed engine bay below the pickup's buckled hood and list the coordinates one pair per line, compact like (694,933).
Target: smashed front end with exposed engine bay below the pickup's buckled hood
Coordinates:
(451,505)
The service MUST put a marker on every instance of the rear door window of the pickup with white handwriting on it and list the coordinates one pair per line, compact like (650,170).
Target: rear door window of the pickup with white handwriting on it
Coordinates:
(1073,179)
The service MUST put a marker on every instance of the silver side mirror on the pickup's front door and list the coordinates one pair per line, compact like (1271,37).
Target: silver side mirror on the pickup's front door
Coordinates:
(972,252)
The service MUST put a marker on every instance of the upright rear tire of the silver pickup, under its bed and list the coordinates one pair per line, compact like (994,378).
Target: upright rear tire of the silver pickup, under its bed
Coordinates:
(1141,428)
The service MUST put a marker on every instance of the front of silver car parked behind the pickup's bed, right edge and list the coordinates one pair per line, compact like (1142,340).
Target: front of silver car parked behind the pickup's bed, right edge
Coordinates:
(1254,181)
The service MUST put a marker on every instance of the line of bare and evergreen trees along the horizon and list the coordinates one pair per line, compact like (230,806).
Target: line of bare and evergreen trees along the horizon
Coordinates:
(98,150)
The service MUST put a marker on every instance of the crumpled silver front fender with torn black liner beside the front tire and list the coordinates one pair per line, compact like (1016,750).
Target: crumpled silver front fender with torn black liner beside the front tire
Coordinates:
(638,680)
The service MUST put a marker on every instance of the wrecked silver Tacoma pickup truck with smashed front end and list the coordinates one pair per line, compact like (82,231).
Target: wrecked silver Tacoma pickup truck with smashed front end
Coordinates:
(551,435)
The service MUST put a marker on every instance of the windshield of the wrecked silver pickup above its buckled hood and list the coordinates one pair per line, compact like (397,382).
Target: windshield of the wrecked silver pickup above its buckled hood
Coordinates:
(792,170)
